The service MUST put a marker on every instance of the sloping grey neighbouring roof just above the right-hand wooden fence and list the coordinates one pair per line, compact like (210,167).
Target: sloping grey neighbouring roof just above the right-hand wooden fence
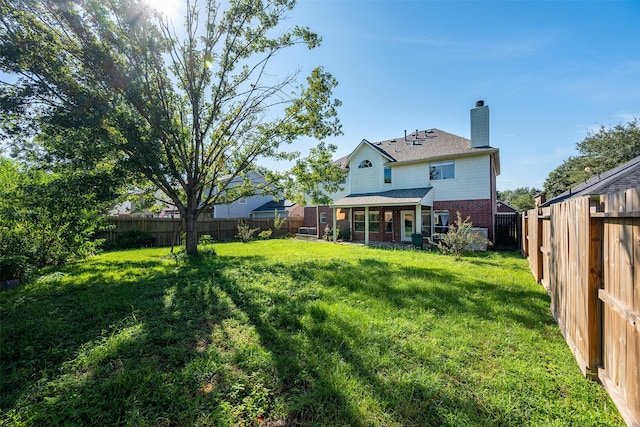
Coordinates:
(621,177)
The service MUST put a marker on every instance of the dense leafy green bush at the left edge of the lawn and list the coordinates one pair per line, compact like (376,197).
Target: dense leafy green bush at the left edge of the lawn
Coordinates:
(48,218)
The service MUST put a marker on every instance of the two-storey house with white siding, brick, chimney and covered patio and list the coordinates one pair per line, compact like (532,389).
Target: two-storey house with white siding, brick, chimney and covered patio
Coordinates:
(415,184)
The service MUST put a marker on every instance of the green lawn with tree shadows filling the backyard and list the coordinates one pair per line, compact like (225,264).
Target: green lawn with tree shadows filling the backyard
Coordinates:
(278,332)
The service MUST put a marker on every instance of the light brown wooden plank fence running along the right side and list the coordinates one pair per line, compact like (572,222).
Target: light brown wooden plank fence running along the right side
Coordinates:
(586,252)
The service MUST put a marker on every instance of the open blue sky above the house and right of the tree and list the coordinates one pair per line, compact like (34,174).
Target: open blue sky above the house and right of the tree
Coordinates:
(549,71)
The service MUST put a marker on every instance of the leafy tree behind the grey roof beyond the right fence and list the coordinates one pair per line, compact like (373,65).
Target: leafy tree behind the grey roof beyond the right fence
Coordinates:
(598,152)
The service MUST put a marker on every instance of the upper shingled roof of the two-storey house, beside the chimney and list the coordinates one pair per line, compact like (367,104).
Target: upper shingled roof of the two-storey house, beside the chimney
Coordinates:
(430,144)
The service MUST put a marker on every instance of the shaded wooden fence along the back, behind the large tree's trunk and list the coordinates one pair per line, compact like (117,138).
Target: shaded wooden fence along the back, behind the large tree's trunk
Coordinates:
(168,231)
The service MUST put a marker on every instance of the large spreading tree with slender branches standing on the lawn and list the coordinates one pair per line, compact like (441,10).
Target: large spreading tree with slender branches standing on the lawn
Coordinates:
(188,110)
